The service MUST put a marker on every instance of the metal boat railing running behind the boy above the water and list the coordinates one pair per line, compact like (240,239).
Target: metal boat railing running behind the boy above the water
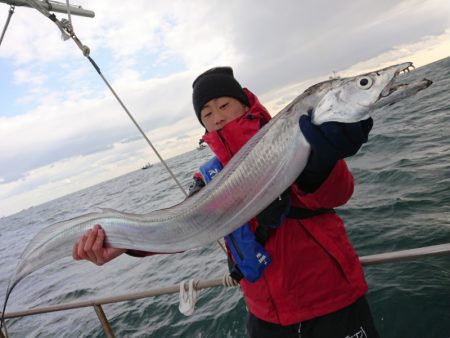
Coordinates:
(97,303)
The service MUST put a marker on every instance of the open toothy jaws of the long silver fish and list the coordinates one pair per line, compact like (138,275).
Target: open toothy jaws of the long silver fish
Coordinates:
(393,92)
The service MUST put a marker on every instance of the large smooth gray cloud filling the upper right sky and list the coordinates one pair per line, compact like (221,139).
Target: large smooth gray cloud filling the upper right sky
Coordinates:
(291,41)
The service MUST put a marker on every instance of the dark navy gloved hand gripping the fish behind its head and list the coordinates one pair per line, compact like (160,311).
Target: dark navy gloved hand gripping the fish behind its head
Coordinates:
(332,141)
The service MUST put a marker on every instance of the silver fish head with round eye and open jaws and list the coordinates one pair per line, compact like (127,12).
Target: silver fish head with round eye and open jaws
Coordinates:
(352,99)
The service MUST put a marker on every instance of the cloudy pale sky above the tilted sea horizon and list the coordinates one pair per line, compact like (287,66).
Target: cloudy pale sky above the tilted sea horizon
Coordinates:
(61,130)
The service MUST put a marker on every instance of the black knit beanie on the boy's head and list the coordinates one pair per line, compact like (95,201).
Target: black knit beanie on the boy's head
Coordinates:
(214,83)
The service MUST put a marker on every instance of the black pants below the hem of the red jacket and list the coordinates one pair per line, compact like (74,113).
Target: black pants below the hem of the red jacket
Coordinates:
(354,321)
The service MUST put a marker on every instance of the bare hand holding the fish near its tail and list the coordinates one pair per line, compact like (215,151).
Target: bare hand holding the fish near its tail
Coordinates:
(91,247)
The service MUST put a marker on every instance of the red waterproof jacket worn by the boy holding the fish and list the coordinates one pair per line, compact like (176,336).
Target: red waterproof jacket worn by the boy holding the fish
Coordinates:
(314,270)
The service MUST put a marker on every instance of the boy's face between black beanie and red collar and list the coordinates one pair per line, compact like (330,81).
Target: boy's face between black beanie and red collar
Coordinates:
(216,113)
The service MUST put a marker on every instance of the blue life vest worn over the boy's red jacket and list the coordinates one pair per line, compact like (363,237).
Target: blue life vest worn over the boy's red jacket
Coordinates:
(249,255)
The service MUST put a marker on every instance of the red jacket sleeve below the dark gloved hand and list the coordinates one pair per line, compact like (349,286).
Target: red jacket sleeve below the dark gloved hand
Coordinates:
(334,191)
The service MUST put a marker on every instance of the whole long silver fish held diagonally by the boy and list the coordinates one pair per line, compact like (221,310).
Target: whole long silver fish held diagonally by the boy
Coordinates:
(265,167)
